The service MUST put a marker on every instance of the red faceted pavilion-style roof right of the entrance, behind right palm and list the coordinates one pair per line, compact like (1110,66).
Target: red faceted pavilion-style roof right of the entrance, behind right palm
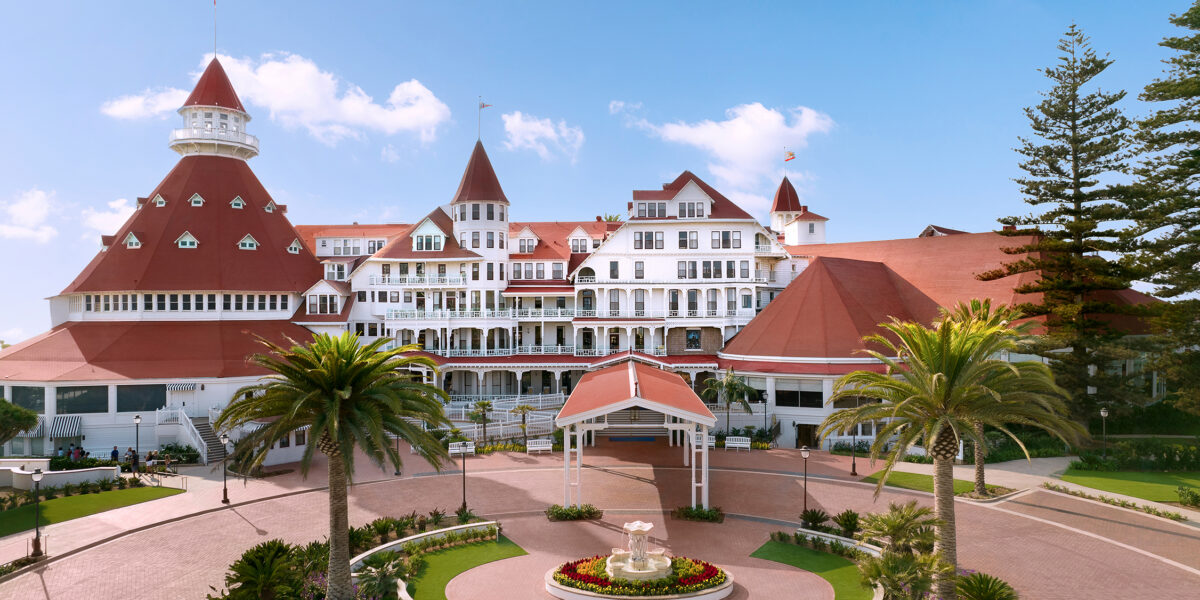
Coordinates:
(829,309)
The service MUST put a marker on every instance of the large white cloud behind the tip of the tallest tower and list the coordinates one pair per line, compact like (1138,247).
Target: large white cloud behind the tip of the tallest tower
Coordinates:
(298,94)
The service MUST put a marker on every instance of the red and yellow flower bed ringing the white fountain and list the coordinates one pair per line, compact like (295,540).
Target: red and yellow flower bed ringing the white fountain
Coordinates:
(688,577)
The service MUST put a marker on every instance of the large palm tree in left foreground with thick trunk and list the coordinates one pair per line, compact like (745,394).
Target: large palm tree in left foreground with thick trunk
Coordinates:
(351,398)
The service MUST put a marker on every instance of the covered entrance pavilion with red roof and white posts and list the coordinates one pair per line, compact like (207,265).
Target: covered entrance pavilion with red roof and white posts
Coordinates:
(627,386)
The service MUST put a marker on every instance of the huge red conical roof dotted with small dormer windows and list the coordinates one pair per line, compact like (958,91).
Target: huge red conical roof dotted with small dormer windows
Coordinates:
(217,263)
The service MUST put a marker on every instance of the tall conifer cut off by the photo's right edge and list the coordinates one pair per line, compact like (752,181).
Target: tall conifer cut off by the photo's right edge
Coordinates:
(1166,203)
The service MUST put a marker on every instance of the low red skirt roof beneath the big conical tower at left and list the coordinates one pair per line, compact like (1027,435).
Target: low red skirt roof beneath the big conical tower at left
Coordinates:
(94,351)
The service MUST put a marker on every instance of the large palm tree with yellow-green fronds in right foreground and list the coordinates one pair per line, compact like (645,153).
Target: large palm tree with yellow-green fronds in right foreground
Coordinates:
(940,382)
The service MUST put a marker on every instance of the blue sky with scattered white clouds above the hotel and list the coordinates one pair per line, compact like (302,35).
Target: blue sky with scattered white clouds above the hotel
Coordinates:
(902,115)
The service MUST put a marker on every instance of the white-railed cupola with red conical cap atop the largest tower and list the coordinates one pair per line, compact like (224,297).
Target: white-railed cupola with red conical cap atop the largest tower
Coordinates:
(214,119)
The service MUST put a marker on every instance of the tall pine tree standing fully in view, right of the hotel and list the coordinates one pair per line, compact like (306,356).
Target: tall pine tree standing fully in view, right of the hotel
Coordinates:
(1079,146)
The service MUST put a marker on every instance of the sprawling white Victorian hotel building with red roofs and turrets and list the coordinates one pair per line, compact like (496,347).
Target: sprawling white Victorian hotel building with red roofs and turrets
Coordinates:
(160,323)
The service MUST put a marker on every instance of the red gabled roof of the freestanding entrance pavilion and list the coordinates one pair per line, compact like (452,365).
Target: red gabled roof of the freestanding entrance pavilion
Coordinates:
(631,385)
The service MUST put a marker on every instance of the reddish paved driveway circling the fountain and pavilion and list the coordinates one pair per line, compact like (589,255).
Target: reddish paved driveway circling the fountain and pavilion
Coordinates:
(1049,547)
